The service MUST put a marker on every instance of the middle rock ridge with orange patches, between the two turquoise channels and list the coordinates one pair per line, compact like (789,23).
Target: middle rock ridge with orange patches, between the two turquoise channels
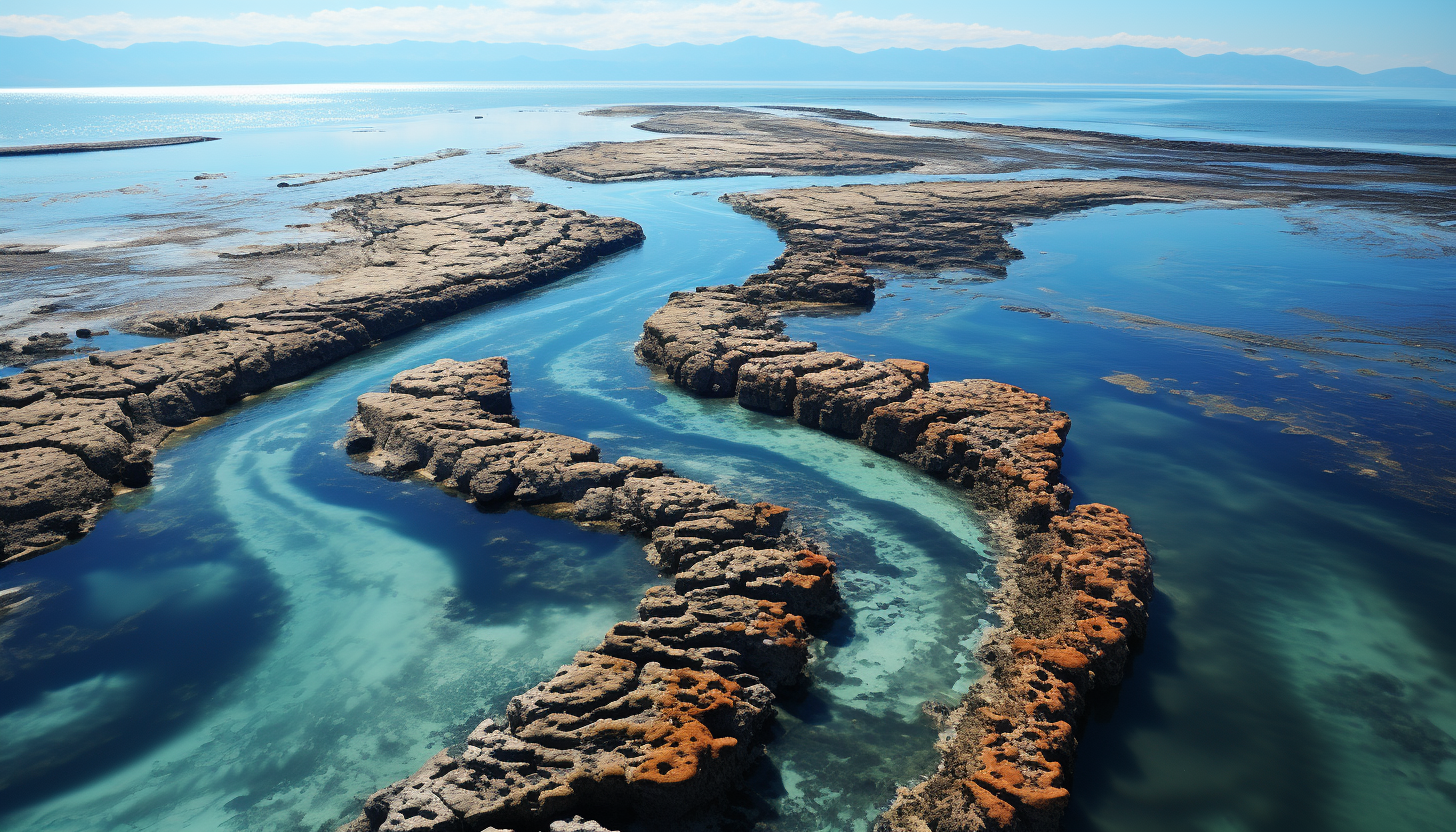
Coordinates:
(669,712)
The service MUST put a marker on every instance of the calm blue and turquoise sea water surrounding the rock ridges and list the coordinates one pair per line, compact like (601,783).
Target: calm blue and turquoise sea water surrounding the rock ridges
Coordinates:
(264,636)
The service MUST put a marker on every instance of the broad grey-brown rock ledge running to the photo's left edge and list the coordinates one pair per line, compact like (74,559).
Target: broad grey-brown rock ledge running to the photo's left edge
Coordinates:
(74,431)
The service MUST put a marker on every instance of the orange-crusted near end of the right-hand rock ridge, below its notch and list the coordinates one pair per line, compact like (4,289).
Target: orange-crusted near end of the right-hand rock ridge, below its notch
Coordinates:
(1074,601)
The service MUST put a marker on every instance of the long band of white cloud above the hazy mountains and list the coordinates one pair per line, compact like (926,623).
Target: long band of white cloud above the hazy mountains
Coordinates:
(596,25)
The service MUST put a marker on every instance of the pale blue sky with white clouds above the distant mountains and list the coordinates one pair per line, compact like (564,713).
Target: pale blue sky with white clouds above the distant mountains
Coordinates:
(1356,34)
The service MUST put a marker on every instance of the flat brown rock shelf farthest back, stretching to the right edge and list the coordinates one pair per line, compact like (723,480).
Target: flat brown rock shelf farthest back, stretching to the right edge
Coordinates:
(730,142)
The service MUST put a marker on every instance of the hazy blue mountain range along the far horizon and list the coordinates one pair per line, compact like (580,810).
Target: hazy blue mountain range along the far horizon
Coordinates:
(49,63)
